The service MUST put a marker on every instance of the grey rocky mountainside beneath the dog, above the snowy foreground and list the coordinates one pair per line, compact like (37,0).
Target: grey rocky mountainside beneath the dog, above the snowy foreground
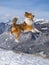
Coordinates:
(28,43)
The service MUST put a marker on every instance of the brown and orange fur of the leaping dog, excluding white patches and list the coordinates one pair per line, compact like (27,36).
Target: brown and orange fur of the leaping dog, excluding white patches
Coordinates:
(18,28)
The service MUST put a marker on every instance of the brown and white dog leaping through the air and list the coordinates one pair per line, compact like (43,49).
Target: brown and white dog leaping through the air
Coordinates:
(27,25)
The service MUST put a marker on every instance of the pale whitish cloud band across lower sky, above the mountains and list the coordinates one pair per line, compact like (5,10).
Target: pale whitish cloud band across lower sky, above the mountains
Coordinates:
(8,13)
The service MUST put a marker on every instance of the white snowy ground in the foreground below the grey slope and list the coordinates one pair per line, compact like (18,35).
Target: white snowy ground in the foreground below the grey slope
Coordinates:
(11,58)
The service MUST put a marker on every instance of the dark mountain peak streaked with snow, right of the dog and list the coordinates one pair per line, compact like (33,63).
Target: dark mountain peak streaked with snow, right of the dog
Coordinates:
(42,25)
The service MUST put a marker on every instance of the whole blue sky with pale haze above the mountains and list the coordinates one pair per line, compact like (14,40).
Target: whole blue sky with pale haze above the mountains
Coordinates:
(11,8)
